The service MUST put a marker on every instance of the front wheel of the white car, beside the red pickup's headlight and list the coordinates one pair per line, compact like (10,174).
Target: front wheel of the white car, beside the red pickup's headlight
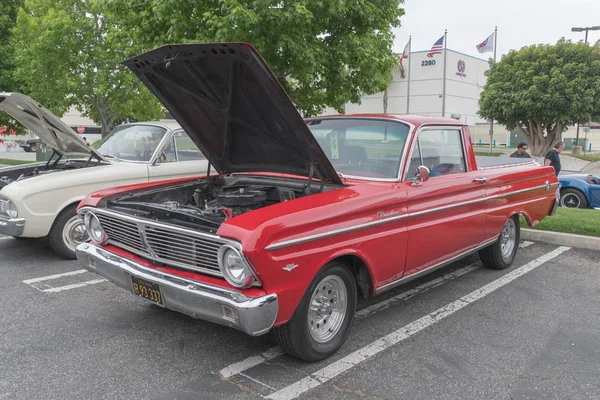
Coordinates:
(67,232)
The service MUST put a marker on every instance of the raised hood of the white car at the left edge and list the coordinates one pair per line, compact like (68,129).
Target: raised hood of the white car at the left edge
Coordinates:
(47,126)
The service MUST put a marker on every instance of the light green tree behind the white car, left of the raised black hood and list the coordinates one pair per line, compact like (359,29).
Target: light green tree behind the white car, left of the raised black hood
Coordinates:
(68,53)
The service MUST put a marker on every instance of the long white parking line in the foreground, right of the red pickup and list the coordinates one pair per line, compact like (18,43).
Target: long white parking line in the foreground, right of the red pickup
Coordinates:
(346,363)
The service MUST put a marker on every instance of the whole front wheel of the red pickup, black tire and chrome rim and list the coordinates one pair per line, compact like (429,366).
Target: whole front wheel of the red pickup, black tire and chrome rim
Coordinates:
(322,320)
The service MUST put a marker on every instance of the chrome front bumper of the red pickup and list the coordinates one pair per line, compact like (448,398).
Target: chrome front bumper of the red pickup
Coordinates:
(253,315)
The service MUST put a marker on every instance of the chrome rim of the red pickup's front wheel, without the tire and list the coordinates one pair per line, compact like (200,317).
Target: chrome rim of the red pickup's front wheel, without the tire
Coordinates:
(327,310)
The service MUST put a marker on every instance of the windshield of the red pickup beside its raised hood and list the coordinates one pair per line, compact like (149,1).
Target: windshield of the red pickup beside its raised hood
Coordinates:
(361,148)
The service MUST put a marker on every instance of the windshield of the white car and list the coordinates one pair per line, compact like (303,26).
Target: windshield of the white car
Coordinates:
(132,142)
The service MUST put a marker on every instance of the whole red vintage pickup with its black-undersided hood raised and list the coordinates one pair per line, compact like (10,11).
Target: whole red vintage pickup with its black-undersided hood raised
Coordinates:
(304,216)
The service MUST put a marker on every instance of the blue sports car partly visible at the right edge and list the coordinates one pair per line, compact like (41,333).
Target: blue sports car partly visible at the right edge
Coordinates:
(579,191)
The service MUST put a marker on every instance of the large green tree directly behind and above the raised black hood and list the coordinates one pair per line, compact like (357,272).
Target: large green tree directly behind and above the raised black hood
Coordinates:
(324,53)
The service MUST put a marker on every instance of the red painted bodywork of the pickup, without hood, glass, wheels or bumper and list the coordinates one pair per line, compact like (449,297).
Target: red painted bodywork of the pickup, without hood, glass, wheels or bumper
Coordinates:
(394,229)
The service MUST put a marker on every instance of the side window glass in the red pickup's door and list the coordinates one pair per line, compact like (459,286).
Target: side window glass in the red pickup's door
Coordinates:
(439,150)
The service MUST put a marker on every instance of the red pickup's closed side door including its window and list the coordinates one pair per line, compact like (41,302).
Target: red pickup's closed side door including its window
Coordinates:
(448,211)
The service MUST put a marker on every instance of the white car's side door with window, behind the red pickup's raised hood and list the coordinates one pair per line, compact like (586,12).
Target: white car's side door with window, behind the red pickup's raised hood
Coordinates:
(178,157)
